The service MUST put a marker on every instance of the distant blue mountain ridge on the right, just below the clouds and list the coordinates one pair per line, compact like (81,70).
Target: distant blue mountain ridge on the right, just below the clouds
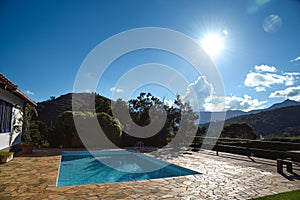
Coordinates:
(205,117)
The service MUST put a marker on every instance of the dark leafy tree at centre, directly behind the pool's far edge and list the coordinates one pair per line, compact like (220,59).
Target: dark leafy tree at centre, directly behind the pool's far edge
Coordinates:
(139,110)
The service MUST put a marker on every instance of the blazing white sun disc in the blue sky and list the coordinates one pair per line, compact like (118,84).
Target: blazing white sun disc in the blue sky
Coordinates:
(212,44)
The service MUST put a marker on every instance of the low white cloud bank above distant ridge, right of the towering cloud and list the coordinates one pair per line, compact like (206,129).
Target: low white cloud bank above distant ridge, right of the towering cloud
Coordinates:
(245,103)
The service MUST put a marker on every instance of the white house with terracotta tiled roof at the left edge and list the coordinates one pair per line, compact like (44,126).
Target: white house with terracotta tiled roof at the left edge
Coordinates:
(12,102)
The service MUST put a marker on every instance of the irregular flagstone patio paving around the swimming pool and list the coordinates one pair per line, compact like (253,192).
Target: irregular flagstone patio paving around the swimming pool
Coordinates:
(226,176)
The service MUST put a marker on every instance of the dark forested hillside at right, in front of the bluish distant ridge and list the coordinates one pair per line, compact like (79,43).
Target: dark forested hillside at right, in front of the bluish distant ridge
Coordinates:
(276,122)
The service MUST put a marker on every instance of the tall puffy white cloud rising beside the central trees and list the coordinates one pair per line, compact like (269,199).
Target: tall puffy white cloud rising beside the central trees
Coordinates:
(199,93)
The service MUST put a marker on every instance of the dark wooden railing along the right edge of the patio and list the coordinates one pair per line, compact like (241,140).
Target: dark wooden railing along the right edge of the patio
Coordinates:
(258,148)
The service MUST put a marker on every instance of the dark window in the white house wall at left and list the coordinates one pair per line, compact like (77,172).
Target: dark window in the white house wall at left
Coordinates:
(5,116)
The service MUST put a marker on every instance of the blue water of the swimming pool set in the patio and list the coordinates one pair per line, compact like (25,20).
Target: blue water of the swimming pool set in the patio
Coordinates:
(81,167)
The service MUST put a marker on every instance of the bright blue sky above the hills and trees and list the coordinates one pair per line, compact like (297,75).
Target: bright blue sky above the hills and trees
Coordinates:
(43,44)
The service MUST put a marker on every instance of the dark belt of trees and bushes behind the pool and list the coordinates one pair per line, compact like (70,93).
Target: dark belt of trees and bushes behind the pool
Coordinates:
(62,131)
